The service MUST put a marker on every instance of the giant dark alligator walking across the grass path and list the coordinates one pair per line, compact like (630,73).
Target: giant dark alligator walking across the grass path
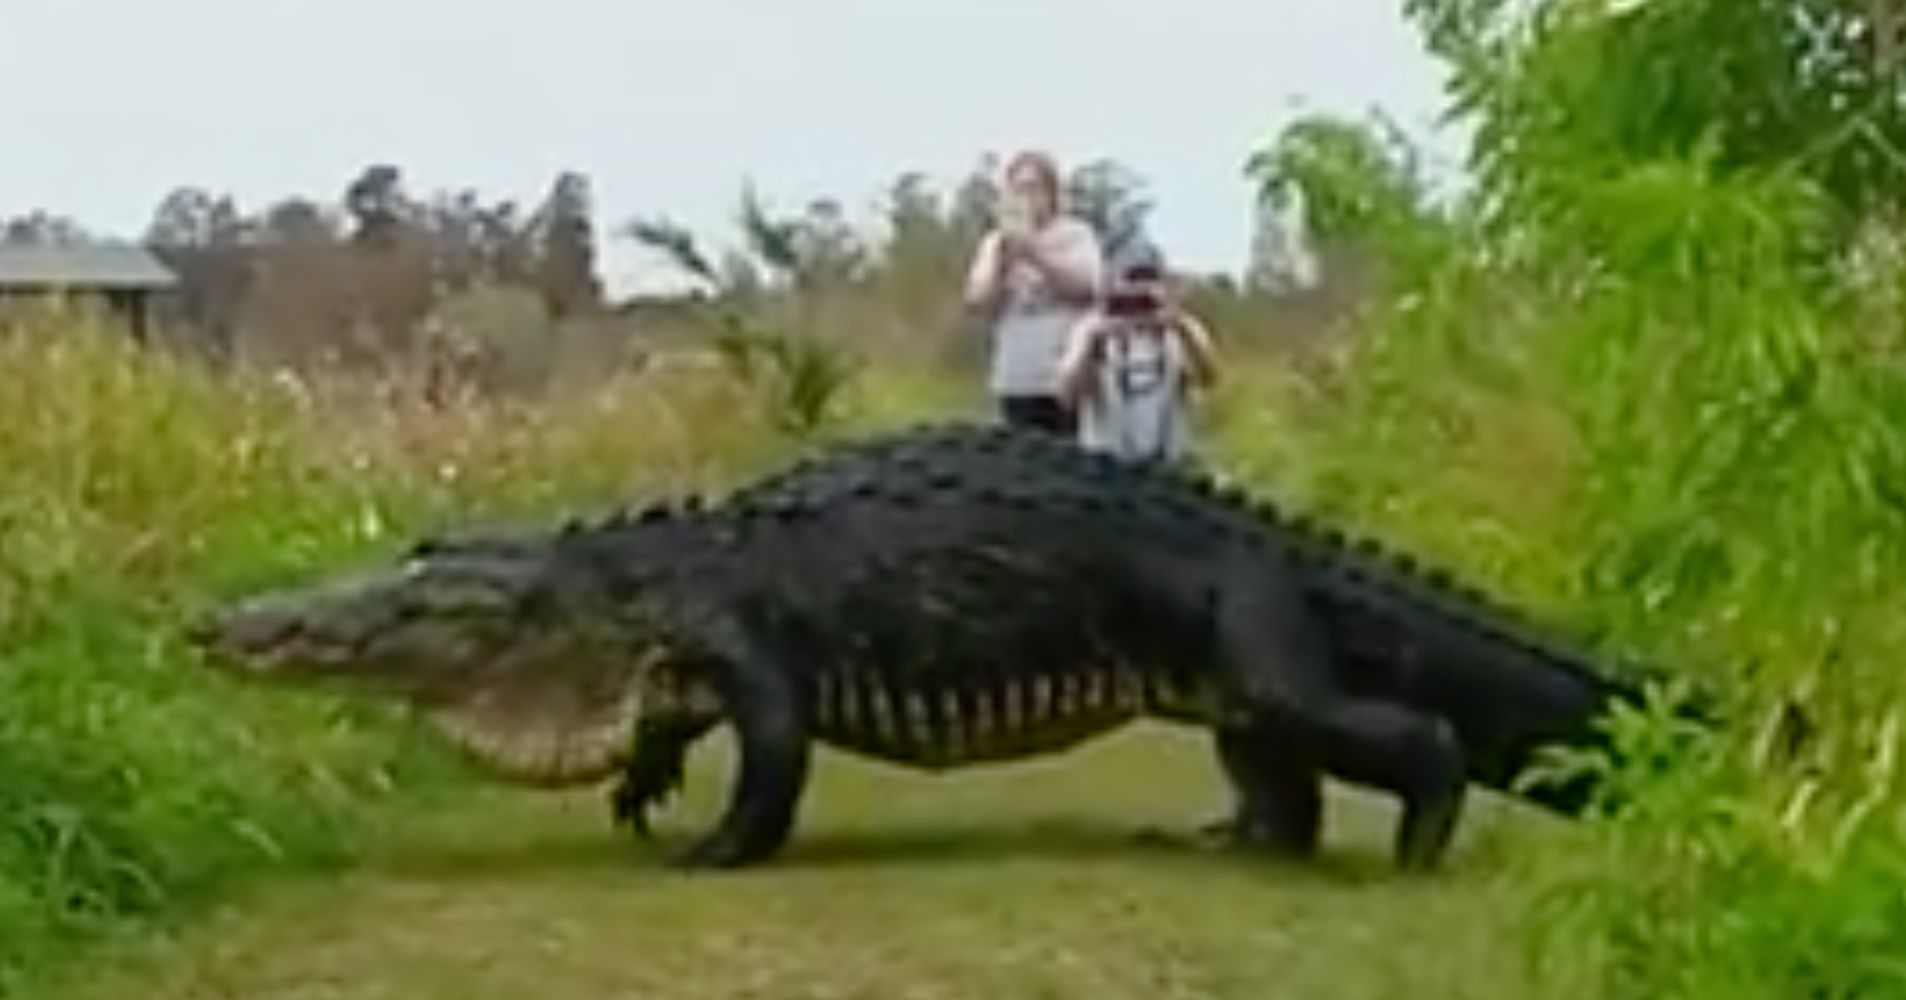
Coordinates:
(943,597)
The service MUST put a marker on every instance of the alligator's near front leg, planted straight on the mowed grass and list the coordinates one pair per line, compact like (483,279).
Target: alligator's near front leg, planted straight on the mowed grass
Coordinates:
(761,700)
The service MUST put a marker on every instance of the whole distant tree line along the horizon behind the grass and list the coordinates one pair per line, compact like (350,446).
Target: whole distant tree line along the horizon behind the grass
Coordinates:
(367,275)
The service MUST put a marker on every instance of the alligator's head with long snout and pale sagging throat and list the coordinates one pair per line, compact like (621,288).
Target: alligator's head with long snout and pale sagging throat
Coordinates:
(512,649)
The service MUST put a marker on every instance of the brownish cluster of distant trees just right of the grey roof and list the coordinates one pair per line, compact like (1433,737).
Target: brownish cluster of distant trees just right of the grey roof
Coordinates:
(357,275)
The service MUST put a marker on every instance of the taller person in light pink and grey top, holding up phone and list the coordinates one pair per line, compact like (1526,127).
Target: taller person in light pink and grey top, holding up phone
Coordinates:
(1034,277)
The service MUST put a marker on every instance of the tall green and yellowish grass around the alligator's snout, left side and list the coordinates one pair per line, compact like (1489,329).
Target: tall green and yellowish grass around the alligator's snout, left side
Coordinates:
(138,489)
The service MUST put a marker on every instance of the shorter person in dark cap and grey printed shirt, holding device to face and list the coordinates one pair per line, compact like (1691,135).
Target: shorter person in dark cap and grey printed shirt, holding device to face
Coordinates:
(1129,369)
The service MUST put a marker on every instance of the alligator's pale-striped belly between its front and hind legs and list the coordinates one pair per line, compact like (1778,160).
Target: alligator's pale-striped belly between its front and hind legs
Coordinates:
(1015,717)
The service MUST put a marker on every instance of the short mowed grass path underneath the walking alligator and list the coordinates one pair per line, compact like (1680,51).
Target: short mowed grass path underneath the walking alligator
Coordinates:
(1024,881)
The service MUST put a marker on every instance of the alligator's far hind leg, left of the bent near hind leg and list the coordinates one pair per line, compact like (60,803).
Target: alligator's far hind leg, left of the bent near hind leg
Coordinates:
(1280,793)
